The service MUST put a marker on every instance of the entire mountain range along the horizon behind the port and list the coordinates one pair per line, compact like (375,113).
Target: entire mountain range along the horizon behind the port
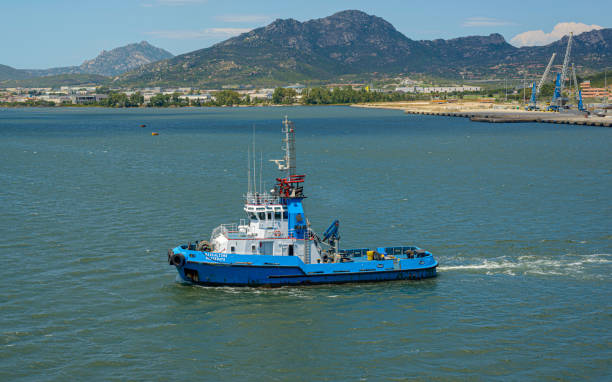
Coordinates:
(347,46)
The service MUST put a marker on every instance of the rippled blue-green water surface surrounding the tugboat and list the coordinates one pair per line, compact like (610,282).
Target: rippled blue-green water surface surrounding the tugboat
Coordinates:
(519,217)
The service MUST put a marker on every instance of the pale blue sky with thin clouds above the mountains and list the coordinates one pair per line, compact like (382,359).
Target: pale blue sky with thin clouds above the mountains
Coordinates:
(40,34)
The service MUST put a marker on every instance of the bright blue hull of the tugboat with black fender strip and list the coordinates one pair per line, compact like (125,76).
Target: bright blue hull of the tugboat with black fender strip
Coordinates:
(294,272)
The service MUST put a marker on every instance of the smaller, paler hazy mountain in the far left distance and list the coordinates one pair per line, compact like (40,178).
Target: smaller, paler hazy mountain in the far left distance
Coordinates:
(108,63)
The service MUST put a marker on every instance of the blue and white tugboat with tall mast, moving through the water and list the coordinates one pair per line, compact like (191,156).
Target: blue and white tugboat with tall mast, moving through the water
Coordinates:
(275,246)
